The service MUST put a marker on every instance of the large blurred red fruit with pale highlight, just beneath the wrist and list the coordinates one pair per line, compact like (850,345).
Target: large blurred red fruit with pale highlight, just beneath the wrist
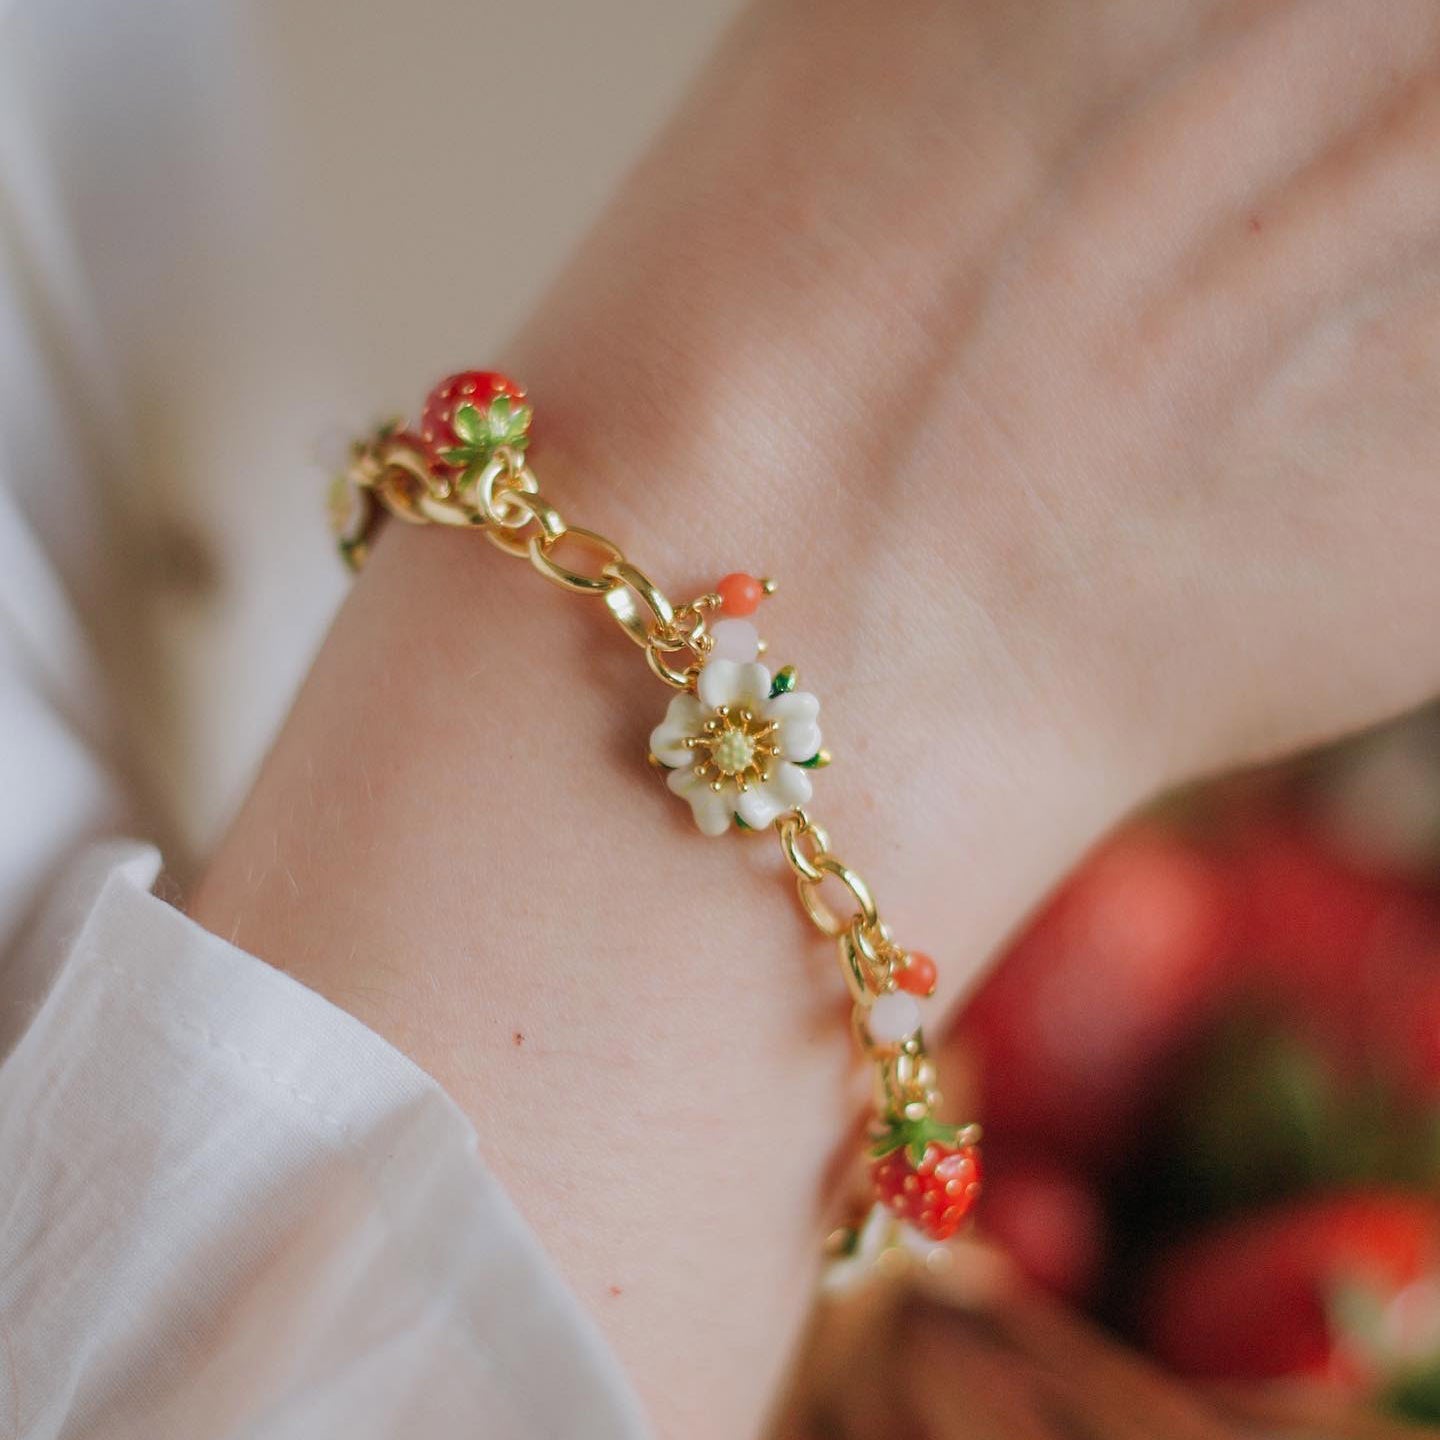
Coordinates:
(1075,1027)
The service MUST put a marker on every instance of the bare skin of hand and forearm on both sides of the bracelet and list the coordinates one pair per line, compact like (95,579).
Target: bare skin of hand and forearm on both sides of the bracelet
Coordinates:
(1075,366)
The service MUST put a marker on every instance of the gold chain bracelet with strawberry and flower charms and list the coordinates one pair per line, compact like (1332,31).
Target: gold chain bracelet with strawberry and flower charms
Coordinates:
(738,742)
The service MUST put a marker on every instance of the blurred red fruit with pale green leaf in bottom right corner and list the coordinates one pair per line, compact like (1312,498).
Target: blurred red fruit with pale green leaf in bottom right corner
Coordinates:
(1328,1290)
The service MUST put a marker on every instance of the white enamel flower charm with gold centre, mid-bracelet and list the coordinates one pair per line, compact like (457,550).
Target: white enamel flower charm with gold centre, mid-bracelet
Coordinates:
(739,747)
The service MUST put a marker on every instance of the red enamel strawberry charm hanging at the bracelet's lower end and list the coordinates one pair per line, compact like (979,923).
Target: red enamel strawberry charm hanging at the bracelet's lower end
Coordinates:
(927,1174)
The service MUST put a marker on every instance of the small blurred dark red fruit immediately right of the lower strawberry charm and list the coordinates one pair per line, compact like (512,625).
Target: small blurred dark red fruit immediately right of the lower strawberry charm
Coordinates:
(1049,1222)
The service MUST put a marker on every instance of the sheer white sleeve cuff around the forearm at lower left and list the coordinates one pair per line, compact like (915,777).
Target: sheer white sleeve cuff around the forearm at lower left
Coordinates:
(233,1210)
